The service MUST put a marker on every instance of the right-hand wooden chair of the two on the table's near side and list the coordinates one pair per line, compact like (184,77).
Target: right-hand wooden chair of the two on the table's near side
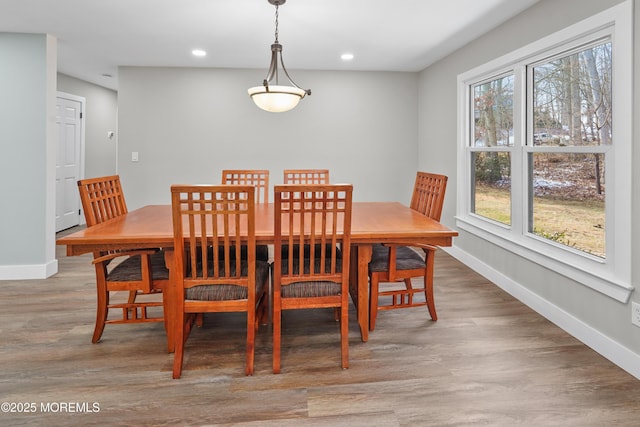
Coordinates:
(311,222)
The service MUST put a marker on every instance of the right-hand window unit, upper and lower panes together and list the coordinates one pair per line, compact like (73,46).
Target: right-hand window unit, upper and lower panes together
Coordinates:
(571,115)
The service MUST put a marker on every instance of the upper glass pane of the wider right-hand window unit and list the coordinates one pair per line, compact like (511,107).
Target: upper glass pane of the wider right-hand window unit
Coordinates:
(572,99)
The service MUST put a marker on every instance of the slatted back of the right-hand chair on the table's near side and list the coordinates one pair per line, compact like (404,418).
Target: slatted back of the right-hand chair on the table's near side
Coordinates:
(311,221)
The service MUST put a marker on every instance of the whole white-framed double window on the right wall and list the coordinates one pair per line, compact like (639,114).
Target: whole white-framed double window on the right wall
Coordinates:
(544,151)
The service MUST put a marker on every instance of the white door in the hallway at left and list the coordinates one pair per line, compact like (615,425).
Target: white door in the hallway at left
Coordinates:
(69,123)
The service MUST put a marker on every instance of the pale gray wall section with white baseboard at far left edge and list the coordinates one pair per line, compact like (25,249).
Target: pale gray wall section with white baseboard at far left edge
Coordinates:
(27,164)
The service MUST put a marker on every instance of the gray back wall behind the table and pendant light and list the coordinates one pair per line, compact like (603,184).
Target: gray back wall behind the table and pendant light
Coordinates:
(187,124)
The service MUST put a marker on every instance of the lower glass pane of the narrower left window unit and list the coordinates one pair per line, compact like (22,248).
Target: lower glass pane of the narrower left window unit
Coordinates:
(491,196)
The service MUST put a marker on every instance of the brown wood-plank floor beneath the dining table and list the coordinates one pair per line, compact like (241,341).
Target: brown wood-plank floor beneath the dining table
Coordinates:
(488,360)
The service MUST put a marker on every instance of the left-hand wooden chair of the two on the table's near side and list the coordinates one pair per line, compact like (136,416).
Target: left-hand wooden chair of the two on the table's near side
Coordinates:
(209,222)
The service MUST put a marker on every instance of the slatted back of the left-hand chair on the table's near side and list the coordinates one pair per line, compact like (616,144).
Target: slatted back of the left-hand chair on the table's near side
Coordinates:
(211,223)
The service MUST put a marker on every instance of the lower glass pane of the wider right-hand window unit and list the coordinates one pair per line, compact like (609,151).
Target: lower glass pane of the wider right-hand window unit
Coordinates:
(567,196)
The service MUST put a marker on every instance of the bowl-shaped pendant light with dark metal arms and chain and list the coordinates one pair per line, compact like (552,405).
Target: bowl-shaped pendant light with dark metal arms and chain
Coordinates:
(276,98)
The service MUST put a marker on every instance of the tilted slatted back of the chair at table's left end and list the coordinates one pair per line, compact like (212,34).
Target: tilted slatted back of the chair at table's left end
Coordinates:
(102,199)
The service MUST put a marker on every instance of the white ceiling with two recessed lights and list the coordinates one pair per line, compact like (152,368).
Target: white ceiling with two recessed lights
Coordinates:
(96,36)
